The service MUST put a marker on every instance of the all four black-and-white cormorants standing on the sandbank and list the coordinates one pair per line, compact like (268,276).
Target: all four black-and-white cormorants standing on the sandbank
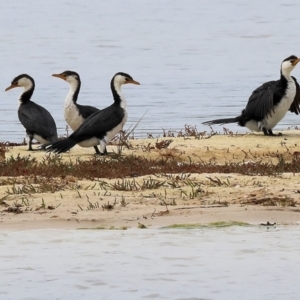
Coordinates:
(91,127)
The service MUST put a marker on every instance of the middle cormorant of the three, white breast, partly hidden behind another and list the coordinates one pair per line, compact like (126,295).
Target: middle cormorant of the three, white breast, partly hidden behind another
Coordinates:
(75,113)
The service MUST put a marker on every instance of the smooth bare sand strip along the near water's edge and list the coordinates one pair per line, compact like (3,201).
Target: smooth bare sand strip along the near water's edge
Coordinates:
(176,218)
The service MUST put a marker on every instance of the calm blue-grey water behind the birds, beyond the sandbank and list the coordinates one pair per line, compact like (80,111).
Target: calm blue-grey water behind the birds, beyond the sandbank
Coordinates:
(196,60)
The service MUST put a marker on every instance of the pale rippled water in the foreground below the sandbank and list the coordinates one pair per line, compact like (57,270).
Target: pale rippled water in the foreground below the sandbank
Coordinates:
(232,263)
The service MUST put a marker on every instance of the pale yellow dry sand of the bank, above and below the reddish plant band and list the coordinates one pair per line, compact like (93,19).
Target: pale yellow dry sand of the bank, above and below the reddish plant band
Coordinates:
(79,204)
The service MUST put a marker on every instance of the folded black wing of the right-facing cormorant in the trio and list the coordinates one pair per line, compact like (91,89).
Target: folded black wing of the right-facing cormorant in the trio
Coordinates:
(99,123)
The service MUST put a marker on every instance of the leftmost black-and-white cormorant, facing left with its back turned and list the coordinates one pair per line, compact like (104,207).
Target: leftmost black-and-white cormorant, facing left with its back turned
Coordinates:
(38,122)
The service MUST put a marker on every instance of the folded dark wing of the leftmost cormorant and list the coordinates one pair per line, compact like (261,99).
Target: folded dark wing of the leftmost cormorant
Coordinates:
(37,119)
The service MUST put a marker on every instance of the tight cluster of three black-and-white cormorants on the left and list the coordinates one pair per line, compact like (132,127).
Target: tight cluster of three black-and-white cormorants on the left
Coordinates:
(91,126)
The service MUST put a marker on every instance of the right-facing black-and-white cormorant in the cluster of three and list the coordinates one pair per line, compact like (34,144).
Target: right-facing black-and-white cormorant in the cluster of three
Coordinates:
(101,126)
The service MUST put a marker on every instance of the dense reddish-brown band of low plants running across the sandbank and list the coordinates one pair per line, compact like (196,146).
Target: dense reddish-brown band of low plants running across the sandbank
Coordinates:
(132,166)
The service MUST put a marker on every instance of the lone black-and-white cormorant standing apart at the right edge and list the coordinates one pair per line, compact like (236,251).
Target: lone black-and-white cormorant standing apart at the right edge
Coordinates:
(270,102)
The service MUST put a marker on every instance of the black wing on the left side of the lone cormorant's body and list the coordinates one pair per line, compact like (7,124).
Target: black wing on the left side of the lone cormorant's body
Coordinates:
(261,102)
